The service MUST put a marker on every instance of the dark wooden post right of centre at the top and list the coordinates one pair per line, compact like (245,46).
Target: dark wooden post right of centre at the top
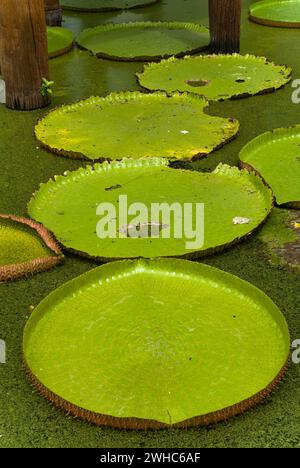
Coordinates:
(225,25)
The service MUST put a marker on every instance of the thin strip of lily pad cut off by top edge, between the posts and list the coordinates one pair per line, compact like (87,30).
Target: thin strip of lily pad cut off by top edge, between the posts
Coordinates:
(104,5)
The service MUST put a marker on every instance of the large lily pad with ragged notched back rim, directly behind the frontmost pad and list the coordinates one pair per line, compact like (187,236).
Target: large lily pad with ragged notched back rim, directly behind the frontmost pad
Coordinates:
(235,204)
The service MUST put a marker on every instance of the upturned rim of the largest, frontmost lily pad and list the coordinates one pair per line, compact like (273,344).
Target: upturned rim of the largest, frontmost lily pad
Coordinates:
(136,423)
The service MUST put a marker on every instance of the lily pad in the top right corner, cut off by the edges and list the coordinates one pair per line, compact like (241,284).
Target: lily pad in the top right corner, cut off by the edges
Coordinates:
(282,13)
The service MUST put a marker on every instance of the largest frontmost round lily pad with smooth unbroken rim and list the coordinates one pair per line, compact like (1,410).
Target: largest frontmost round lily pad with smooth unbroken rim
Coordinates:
(116,347)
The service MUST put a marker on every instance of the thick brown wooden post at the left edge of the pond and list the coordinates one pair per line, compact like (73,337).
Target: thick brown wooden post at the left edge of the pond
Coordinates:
(24,53)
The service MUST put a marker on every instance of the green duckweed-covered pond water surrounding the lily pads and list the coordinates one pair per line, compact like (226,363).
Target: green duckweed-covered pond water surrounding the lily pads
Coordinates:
(26,419)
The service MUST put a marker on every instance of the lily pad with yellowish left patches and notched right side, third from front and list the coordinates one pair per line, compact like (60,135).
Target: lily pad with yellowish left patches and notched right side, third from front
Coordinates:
(133,124)
